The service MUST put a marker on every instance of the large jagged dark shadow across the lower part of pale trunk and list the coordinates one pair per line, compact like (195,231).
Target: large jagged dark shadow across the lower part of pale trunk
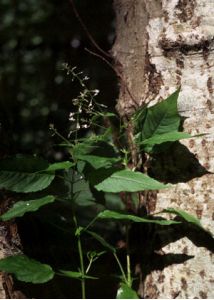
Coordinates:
(148,248)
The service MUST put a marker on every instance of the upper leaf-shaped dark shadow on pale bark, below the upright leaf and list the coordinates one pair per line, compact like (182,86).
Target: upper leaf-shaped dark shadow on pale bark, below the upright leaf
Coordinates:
(174,163)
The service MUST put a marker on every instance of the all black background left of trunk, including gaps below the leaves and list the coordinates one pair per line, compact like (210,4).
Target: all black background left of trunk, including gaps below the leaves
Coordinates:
(36,38)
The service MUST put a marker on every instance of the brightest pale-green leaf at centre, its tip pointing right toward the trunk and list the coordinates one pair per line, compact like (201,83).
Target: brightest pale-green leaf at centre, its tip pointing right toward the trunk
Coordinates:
(129,181)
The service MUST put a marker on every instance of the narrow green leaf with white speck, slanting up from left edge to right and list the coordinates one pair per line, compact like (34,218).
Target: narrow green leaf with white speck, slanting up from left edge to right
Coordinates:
(22,207)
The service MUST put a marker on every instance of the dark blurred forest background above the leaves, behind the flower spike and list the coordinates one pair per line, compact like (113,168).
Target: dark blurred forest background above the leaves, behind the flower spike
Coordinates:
(36,38)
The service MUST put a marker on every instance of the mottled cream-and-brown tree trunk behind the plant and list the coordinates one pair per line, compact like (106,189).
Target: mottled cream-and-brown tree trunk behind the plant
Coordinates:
(161,45)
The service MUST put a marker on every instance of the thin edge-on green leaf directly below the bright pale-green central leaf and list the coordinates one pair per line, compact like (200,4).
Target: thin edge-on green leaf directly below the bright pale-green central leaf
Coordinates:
(109,214)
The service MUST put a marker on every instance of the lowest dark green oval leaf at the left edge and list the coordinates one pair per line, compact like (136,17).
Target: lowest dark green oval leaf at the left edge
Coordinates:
(26,269)
